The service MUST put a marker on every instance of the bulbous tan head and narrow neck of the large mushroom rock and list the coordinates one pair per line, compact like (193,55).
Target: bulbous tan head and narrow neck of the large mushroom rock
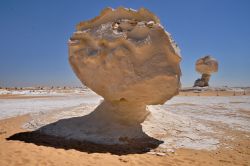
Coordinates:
(127,57)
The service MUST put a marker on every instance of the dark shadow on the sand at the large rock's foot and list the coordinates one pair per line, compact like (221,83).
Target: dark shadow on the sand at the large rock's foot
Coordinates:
(136,146)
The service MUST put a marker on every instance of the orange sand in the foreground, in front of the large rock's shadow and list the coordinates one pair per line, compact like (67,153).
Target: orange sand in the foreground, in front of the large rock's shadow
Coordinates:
(20,153)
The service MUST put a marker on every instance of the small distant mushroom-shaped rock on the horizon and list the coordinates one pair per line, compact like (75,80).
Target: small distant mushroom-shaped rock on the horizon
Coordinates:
(205,66)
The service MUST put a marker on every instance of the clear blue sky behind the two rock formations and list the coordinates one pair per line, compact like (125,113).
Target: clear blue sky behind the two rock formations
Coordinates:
(34,35)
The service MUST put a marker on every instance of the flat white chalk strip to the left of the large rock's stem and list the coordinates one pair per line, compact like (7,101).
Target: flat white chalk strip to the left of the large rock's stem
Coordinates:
(57,101)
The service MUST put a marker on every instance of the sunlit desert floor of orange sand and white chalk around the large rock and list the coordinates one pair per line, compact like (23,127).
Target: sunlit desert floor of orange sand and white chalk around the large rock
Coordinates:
(229,132)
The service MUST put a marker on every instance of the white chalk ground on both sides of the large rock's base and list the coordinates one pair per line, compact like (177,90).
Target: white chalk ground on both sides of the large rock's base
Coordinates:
(184,121)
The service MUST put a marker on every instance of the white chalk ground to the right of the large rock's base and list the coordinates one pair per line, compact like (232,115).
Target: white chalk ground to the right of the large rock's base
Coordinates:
(196,122)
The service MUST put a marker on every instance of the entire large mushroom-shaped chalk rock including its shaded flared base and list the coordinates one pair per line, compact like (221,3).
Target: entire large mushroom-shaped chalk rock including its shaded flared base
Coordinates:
(127,57)
